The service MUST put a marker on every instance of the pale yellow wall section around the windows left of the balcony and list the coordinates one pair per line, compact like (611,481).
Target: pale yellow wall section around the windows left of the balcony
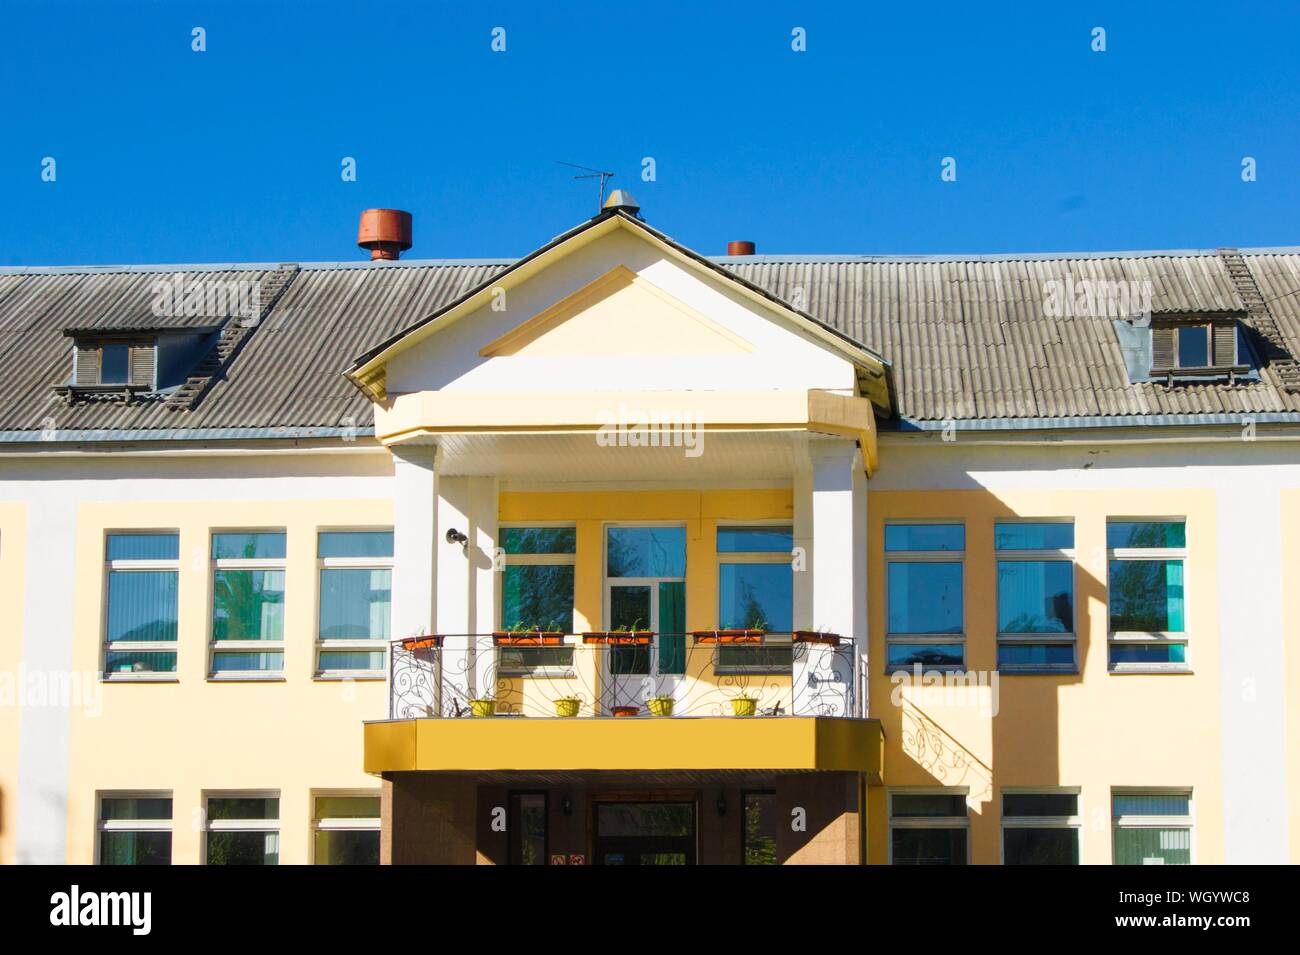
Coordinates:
(196,736)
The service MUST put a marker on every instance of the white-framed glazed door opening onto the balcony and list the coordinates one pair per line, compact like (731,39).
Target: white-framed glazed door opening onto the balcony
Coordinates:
(645,591)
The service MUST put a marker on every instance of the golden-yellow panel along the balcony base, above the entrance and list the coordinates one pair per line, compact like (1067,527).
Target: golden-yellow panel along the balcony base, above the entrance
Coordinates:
(788,744)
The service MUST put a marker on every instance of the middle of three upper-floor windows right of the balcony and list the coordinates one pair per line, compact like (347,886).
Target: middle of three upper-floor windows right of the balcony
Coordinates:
(1035,597)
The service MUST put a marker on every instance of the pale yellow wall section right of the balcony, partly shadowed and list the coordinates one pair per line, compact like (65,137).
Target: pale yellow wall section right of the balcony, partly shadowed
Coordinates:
(1093,731)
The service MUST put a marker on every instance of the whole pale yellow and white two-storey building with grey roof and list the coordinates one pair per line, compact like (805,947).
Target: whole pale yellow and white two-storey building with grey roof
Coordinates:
(619,554)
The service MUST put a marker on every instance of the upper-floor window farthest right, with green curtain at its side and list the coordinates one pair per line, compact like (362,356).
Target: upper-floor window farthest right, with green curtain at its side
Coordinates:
(1149,631)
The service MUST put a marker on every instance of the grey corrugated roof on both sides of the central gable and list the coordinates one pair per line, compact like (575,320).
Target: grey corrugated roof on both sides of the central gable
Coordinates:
(968,337)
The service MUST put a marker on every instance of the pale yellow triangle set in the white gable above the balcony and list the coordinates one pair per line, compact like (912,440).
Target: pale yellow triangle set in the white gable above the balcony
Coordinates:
(619,314)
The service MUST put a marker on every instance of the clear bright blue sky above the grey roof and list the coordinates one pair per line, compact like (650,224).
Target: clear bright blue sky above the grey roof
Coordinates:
(164,155)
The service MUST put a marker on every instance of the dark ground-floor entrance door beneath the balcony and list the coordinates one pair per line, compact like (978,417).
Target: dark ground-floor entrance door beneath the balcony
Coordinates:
(645,834)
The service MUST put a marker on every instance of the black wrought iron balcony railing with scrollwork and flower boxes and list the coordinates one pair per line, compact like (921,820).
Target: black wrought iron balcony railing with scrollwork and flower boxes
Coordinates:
(626,675)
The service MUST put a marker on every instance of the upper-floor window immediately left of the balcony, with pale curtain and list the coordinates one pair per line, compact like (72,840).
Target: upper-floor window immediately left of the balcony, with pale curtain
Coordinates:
(356,593)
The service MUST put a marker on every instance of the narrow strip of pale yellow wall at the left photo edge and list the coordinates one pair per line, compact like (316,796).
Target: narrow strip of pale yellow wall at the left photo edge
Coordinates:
(14,548)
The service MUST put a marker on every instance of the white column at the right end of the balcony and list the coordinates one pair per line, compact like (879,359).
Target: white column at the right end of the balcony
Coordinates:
(834,503)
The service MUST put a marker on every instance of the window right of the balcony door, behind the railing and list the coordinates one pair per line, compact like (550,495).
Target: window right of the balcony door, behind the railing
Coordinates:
(756,592)
